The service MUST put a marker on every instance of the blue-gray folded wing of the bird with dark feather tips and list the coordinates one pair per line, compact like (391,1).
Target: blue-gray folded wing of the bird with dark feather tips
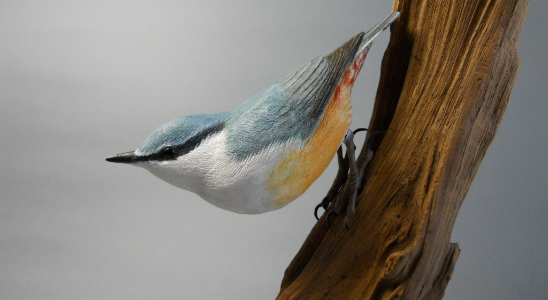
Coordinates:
(290,108)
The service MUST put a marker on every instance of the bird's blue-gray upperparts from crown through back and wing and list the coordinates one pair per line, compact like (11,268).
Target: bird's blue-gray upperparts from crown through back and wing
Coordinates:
(290,108)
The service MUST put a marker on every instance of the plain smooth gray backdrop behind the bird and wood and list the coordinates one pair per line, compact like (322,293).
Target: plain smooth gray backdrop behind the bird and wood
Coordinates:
(81,80)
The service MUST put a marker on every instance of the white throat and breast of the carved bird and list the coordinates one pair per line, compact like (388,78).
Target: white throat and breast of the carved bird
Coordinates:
(222,180)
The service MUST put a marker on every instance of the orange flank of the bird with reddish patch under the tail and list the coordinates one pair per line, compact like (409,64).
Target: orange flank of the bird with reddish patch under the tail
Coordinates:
(299,168)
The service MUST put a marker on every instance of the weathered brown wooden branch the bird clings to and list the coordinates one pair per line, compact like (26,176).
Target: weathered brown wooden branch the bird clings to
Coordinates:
(445,82)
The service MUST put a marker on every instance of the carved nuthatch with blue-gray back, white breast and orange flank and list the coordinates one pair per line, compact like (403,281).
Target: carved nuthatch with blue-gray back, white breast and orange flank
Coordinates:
(266,152)
